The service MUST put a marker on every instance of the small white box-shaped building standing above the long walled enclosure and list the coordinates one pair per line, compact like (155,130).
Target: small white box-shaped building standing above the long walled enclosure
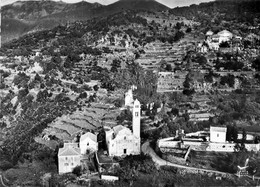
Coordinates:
(218,134)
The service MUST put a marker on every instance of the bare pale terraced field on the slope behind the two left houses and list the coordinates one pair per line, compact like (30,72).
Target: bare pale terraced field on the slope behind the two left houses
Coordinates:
(91,118)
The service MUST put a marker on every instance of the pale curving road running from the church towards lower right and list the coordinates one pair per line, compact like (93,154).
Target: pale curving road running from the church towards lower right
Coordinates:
(146,149)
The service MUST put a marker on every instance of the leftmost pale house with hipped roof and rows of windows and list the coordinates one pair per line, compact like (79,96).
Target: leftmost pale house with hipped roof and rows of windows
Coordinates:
(69,157)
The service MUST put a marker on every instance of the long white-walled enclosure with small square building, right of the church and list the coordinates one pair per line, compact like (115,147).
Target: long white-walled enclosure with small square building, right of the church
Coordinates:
(212,140)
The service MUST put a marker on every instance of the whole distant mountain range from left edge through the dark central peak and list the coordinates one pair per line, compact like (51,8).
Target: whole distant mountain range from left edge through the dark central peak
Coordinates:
(48,14)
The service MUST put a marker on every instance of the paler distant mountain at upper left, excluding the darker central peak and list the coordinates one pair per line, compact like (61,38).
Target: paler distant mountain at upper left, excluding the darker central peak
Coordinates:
(30,16)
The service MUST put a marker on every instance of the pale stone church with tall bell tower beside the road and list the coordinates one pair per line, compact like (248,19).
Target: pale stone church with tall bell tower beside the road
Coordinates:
(121,140)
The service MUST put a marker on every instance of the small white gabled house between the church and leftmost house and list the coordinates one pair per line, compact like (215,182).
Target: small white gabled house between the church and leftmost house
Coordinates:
(88,142)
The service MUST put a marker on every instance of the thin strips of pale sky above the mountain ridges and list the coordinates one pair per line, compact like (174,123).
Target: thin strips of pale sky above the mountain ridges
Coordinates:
(169,3)
